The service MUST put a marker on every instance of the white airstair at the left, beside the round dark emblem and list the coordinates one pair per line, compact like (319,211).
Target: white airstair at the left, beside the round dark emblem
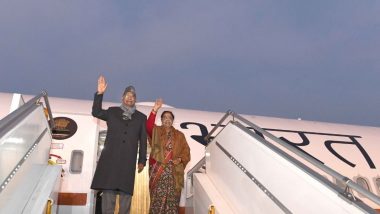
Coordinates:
(27,183)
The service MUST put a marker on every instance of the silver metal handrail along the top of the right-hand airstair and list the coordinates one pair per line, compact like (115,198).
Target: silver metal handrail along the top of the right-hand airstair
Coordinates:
(349,183)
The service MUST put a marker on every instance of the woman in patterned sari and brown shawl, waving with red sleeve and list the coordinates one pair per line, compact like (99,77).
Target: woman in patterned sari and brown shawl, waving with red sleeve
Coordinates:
(168,158)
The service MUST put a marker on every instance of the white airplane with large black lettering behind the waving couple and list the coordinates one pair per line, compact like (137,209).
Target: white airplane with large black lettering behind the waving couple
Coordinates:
(78,138)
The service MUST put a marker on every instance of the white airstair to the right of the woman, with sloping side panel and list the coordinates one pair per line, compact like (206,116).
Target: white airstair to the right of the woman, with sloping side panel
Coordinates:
(246,170)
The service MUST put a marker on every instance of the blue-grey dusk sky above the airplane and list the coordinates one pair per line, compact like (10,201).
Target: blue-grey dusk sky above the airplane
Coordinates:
(315,60)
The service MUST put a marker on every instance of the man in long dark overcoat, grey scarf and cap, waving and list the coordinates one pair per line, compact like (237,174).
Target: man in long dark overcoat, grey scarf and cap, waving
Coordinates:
(115,172)
